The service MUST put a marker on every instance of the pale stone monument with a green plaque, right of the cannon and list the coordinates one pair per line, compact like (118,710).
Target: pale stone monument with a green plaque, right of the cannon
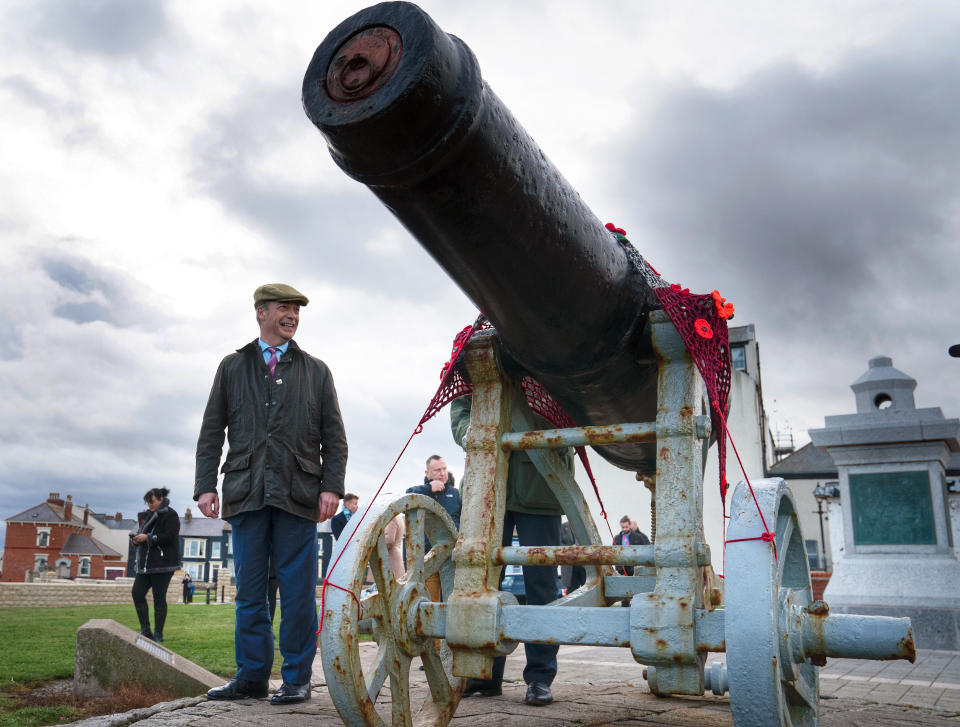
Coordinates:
(898,557)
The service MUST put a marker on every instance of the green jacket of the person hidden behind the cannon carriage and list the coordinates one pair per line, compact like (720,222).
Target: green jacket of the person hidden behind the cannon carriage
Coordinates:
(527,491)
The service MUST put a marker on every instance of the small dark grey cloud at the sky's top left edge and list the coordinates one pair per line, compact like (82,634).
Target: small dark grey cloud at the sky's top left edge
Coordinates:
(106,27)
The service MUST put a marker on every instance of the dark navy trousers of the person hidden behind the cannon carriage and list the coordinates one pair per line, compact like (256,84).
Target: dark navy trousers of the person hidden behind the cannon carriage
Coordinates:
(540,583)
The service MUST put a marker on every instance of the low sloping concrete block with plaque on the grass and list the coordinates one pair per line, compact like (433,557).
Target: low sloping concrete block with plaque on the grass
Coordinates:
(110,655)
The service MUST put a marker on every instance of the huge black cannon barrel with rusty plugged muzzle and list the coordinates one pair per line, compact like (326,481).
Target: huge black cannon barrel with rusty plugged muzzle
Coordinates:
(404,110)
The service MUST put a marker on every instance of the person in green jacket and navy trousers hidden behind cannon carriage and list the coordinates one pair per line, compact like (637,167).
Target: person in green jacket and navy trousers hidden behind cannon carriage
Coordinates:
(533,510)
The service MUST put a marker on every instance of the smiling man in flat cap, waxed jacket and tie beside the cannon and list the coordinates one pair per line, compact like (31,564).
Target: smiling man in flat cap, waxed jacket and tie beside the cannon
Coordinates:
(284,473)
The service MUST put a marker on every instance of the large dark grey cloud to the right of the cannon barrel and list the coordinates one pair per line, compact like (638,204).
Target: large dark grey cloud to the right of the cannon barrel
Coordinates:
(822,192)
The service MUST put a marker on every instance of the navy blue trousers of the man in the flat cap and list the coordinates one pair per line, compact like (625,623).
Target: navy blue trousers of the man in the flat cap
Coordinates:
(260,536)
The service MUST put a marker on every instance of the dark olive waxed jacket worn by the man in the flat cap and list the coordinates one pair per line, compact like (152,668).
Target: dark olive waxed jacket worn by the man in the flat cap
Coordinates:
(286,437)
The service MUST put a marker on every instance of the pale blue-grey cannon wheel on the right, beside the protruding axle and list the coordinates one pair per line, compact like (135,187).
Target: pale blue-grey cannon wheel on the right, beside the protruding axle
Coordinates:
(767,684)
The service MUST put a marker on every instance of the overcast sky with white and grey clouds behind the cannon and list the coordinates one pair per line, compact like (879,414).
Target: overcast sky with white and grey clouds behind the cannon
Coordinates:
(156,166)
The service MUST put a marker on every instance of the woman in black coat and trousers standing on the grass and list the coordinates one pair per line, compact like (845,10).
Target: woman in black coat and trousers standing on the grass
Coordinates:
(157,543)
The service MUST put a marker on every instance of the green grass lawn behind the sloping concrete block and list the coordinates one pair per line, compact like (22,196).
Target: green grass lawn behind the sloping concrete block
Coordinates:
(38,644)
